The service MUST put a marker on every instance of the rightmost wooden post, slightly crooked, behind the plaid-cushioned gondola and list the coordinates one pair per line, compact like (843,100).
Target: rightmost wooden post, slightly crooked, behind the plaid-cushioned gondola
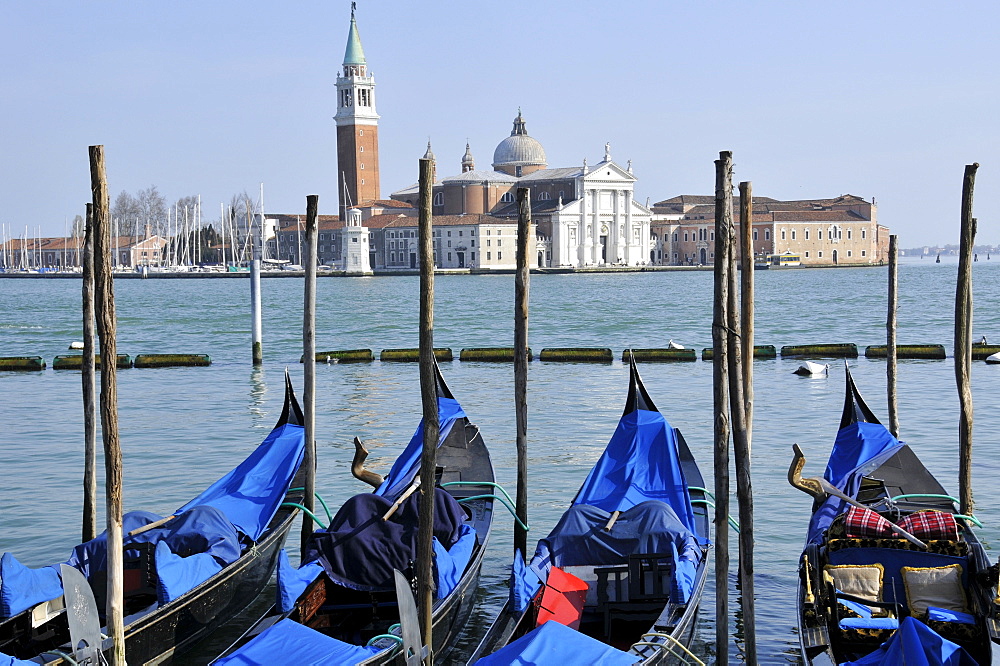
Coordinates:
(963,341)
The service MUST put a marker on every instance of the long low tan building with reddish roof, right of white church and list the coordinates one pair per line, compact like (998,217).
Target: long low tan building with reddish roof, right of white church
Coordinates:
(831,232)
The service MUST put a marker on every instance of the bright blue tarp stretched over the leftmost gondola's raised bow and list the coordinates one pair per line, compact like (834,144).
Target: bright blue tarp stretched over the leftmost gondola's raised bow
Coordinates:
(250,494)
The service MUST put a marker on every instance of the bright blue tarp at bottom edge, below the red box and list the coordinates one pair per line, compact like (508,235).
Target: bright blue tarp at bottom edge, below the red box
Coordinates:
(554,643)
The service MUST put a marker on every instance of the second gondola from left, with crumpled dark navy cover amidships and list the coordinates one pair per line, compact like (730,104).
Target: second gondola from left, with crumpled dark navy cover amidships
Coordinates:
(345,603)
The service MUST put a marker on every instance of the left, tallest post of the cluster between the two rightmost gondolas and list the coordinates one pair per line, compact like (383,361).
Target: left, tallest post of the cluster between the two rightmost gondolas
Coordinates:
(720,400)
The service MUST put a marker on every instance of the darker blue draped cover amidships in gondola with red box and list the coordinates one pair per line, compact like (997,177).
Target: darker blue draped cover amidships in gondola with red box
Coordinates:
(579,538)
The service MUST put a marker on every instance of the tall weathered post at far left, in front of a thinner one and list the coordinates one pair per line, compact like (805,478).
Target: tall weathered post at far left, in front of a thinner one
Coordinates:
(104,305)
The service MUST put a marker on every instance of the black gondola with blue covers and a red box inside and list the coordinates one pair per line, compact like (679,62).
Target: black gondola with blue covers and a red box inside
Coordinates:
(626,564)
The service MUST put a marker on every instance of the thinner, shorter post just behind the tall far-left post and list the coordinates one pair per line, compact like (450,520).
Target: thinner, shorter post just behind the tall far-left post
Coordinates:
(89,385)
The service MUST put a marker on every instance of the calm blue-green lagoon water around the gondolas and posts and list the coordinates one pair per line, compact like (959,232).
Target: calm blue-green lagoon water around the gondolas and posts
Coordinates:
(184,427)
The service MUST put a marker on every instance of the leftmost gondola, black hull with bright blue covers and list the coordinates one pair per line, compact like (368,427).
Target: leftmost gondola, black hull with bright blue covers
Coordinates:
(185,575)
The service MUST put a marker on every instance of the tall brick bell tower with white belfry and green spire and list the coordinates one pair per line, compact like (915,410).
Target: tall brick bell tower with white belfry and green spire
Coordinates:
(357,127)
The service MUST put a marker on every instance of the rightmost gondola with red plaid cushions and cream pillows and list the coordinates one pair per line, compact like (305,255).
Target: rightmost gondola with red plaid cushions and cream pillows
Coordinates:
(890,570)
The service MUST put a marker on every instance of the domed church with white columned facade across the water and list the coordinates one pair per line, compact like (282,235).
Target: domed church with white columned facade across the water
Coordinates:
(584,216)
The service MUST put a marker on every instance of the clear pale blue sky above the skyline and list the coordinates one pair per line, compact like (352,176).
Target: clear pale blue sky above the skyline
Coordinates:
(887,99)
